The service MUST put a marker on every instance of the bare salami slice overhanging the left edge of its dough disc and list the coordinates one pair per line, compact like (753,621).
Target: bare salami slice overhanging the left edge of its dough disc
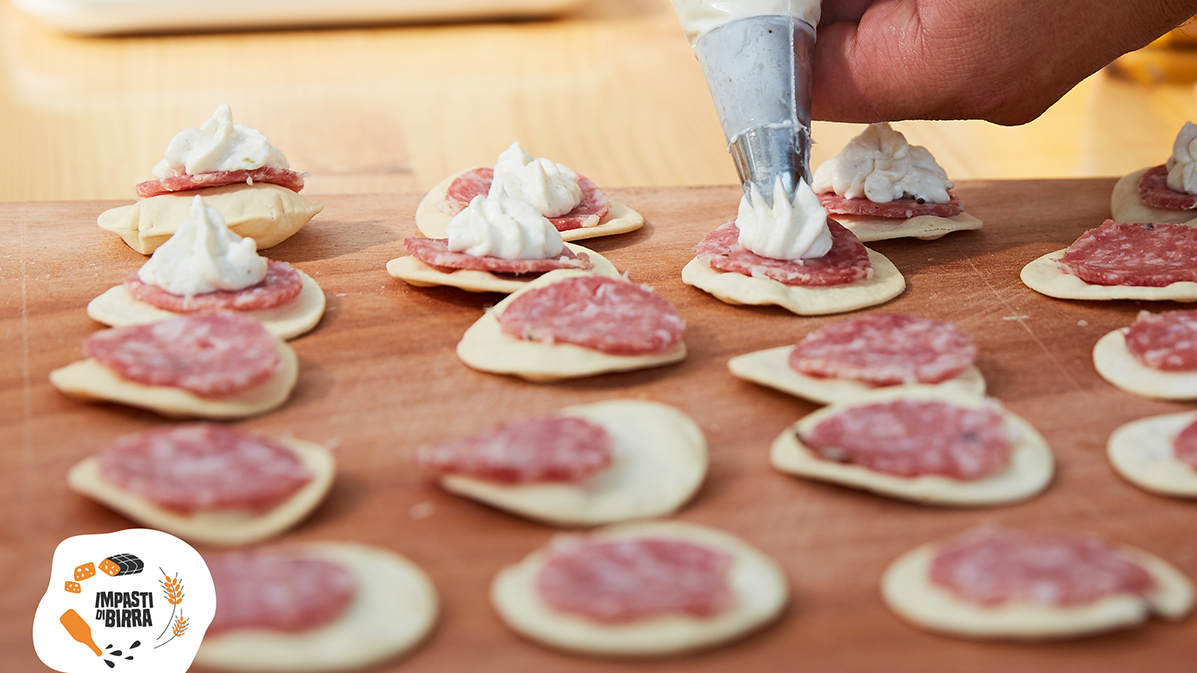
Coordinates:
(544,450)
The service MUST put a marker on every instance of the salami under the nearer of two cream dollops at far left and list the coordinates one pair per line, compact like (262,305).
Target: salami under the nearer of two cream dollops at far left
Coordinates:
(279,288)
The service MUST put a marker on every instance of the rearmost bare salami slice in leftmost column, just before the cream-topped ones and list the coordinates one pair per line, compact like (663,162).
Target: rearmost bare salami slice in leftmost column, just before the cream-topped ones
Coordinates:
(209,355)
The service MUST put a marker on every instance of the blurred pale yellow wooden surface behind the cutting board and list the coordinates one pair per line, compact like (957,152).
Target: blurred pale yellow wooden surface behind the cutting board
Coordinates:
(606,87)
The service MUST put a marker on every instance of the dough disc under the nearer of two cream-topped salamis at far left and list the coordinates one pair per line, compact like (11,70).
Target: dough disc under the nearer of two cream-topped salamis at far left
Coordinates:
(118,308)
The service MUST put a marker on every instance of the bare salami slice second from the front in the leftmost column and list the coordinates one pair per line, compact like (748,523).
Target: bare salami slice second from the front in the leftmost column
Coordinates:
(203,468)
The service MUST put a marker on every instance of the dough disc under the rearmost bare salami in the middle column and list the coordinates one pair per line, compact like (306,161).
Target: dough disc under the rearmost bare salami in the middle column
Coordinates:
(487,348)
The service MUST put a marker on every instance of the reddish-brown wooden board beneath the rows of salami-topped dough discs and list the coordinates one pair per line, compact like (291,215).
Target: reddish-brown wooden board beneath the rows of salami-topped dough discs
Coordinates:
(379,379)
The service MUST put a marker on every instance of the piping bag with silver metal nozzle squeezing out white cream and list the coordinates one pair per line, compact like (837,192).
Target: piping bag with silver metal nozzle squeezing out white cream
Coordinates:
(757,58)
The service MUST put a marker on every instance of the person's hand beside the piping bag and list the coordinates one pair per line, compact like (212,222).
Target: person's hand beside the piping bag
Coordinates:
(1004,62)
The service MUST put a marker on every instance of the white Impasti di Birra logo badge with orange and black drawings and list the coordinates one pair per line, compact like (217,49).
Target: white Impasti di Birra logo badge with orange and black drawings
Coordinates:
(129,602)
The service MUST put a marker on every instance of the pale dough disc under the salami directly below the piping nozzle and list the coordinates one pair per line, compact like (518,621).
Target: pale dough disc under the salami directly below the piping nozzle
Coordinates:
(739,289)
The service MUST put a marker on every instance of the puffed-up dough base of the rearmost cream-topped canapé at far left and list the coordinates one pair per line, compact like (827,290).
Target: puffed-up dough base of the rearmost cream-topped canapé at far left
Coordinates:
(268,214)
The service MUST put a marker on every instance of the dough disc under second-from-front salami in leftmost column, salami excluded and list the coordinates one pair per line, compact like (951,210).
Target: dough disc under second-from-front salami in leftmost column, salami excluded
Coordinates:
(222,528)
